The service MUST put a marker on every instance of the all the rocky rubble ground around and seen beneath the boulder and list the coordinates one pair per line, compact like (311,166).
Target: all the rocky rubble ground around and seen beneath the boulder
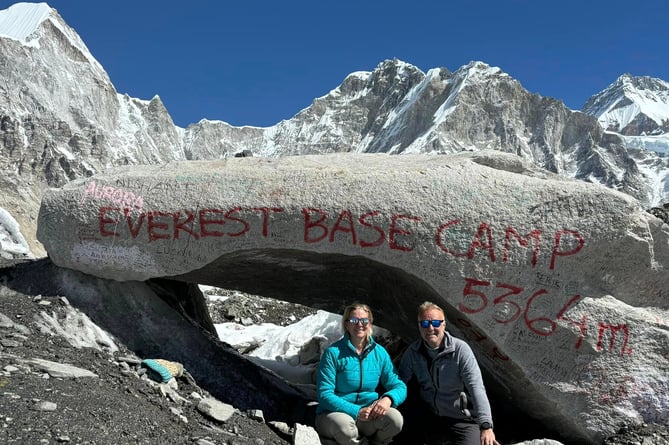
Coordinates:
(106,397)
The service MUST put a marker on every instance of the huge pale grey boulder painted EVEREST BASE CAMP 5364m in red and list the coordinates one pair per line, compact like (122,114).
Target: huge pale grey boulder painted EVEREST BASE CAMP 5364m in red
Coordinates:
(560,286)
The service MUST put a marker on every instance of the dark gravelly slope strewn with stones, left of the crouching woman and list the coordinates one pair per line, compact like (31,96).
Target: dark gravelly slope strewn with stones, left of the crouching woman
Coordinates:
(119,406)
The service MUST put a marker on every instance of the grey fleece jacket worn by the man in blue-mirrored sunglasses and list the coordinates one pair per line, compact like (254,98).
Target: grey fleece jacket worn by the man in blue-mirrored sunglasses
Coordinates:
(451,384)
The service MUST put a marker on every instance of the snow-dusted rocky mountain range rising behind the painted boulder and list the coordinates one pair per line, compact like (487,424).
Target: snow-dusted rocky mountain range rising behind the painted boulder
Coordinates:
(61,118)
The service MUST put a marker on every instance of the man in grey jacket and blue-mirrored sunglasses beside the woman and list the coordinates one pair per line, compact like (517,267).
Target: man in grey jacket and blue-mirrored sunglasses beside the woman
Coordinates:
(449,381)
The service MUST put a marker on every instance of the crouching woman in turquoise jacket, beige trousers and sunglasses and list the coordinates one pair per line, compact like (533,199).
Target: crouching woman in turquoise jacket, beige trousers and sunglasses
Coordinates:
(350,371)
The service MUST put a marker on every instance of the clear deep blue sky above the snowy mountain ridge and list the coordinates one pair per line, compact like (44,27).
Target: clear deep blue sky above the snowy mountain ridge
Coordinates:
(257,62)
